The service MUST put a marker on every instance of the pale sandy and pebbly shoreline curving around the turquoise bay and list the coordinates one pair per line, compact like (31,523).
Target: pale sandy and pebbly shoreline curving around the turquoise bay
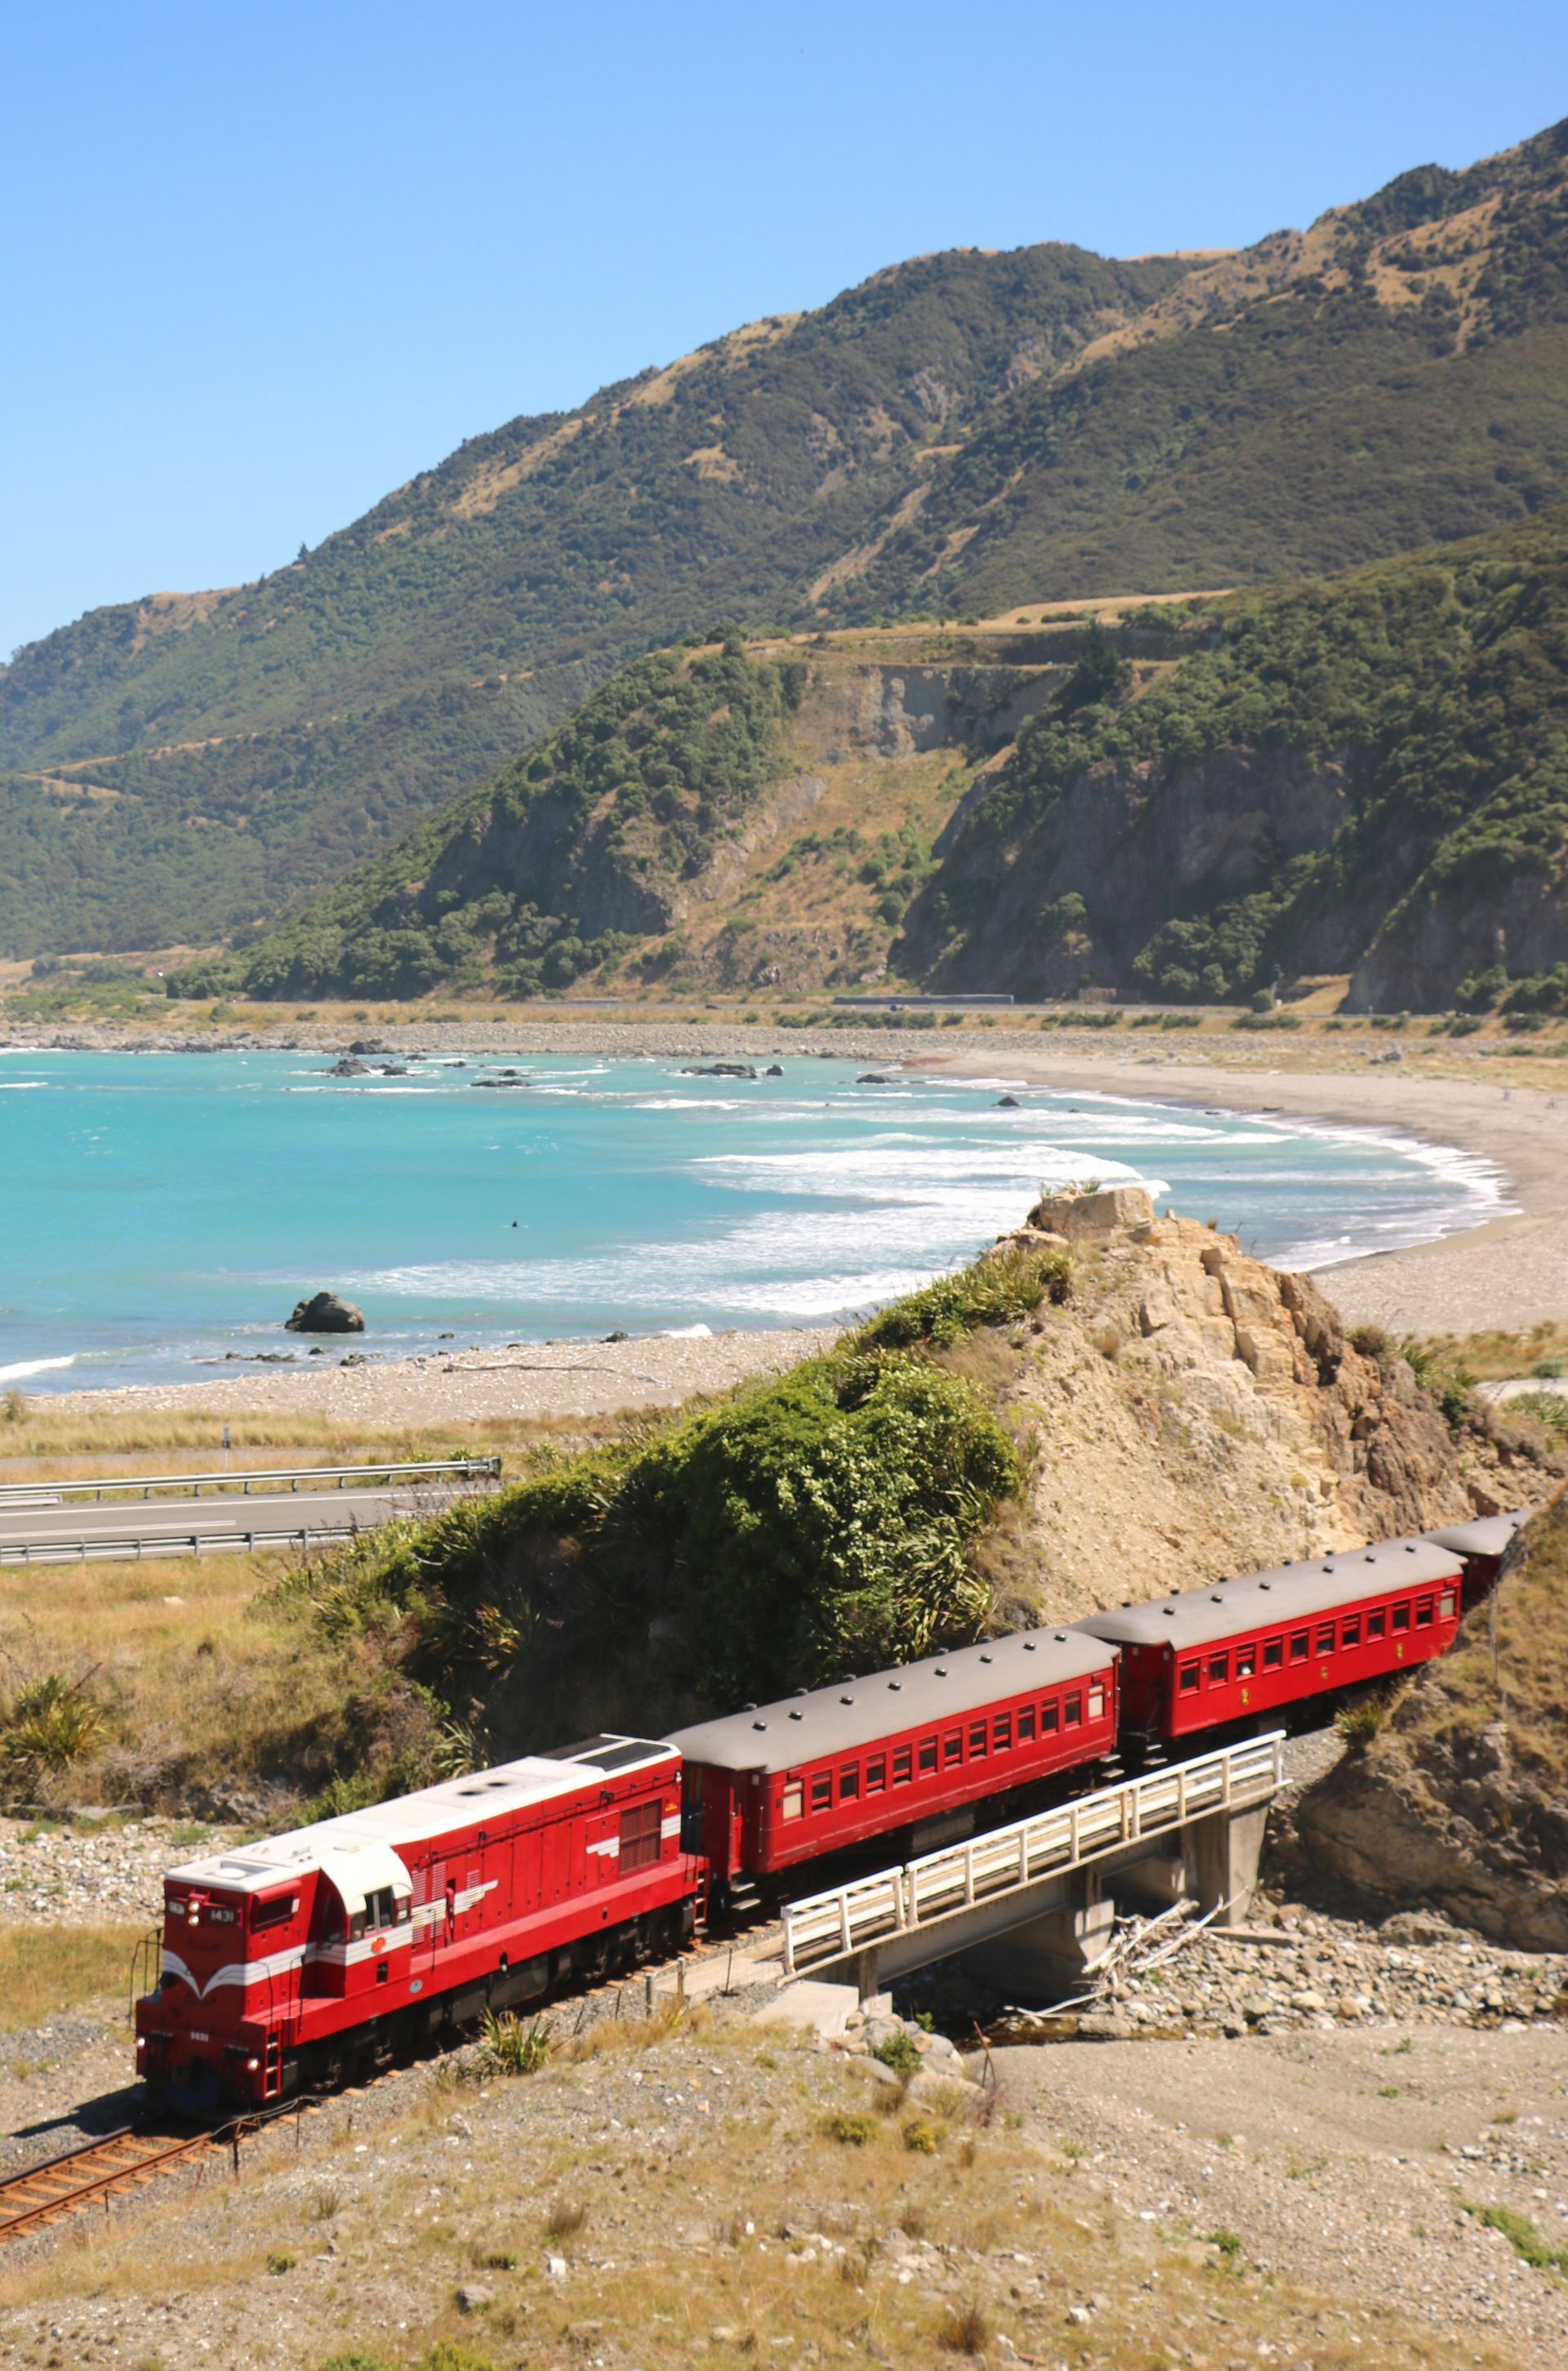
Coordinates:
(1505,1274)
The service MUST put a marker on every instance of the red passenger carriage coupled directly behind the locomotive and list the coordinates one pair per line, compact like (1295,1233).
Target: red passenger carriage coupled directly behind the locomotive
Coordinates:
(903,1753)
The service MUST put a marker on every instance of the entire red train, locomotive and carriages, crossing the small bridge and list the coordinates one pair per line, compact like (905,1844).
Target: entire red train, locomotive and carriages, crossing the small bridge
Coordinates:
(321,1955)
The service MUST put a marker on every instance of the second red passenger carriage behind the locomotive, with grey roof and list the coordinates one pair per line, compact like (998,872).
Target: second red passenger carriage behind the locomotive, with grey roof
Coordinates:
(1242,1651)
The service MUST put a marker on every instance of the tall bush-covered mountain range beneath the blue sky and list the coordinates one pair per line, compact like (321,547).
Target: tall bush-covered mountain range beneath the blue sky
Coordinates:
(960,435)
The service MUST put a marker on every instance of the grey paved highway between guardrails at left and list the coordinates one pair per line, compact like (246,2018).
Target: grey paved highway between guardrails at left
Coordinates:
(215,1516)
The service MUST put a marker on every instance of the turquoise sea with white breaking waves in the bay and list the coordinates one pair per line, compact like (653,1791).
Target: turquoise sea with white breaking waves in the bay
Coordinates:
(167,1210)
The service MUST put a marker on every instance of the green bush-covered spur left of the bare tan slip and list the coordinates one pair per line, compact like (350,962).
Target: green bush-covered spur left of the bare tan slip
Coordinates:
(566,859)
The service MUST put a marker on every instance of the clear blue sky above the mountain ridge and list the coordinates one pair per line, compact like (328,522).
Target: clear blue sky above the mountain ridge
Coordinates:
(267,260)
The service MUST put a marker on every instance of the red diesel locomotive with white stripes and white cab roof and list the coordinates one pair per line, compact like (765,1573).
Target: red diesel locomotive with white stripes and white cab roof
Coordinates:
(295,1960)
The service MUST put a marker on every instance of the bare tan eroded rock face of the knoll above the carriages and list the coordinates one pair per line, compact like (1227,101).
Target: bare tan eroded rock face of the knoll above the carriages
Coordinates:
(1199,1414)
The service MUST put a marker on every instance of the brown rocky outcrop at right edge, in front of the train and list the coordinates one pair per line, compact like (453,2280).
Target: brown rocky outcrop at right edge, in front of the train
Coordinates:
(1458,1798)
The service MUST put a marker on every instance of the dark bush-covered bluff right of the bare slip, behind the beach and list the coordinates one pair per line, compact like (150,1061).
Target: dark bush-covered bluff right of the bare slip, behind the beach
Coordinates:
(1353,777)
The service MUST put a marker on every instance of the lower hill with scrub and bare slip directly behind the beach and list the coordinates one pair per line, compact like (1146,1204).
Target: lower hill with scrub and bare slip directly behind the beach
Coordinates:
(1363,774)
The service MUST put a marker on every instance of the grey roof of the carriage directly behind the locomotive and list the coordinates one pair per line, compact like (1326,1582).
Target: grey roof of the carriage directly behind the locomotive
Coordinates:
(862,1711)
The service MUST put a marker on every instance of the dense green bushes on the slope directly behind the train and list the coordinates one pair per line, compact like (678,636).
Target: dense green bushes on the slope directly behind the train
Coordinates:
(793,1533)
